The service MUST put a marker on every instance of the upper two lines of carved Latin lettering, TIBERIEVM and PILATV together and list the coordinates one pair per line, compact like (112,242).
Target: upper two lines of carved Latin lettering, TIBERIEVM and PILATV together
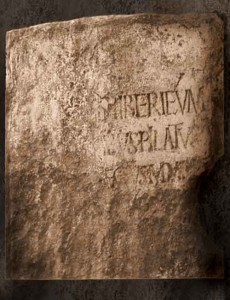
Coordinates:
(149,123)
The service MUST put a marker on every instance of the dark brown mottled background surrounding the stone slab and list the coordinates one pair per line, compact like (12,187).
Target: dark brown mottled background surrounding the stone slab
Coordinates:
(214,190)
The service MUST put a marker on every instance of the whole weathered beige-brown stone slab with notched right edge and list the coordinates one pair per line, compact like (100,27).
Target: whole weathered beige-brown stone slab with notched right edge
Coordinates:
(110,121)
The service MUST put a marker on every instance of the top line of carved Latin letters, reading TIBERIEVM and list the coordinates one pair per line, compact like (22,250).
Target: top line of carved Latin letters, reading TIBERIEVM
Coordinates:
(148,105)
